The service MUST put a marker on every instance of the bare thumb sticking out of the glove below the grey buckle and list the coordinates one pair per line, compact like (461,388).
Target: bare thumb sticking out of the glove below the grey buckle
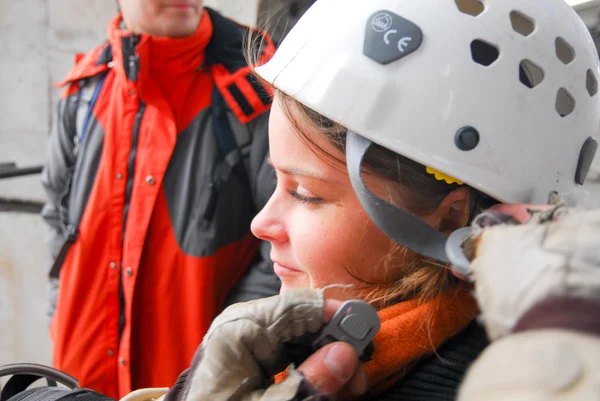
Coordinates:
(332,367)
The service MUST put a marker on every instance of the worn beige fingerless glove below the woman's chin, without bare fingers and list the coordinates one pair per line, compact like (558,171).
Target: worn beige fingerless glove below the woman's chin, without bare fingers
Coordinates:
(242,350)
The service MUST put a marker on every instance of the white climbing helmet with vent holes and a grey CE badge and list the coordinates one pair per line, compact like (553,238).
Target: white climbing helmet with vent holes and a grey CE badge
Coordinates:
(439,81)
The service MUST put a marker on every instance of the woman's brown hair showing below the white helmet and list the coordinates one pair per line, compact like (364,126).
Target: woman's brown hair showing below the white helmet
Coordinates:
(422,193)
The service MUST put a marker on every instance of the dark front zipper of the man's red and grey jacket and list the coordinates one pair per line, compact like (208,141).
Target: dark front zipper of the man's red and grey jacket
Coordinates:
(132,69)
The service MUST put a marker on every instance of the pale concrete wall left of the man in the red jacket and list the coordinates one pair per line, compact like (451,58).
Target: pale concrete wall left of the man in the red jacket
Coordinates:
(39,38)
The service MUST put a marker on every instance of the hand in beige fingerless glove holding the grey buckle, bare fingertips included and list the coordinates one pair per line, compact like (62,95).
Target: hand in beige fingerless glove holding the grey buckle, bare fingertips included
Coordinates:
(242,351)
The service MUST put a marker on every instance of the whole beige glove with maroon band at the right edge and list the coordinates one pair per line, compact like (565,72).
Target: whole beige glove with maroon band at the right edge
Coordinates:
(555,254)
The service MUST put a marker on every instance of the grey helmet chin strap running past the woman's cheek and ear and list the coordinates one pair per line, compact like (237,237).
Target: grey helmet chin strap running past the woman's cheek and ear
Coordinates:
(400,225)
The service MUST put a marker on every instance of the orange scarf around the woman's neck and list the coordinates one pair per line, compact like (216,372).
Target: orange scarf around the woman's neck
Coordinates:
(411,330)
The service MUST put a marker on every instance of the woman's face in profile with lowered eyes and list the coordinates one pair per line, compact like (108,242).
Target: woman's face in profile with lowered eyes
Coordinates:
(319,232)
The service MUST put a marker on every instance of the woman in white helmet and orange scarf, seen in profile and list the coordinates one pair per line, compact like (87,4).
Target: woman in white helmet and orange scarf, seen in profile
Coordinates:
(393,122)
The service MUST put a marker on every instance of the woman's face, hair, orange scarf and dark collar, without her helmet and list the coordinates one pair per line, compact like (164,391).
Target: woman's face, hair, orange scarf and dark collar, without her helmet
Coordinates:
(321,237)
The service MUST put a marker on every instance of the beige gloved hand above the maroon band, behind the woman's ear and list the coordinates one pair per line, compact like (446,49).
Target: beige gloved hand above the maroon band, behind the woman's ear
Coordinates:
(555,253)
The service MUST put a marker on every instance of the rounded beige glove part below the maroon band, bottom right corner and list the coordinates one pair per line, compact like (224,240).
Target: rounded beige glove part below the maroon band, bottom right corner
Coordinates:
(537,365)
